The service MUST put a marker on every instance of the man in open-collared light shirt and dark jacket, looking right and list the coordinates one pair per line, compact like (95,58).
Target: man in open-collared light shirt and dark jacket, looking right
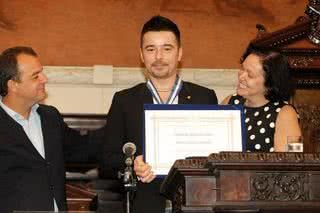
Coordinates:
(32,136)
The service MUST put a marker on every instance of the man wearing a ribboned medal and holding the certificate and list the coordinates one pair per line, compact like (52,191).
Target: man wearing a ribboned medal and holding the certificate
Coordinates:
(161,52)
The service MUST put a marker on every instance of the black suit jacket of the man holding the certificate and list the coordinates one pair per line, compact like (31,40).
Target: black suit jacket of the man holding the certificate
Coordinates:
(125,125)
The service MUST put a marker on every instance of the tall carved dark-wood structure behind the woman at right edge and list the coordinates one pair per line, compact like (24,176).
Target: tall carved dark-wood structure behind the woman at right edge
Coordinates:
(300,42)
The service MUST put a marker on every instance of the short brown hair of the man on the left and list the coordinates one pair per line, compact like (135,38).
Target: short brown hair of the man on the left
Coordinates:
(9,66)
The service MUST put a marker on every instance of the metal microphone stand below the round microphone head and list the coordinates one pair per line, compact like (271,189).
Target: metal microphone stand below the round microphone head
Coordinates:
(129,182)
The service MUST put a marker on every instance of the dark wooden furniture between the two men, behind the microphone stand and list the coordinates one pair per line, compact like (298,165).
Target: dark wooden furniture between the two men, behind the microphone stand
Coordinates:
(81,189)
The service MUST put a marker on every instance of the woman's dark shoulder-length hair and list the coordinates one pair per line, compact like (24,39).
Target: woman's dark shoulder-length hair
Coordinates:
(278,82)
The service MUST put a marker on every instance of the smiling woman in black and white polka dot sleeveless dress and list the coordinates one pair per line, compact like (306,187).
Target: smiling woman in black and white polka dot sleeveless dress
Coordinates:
(263,89)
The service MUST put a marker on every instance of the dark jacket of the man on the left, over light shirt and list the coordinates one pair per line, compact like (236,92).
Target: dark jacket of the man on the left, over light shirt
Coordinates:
(27,181)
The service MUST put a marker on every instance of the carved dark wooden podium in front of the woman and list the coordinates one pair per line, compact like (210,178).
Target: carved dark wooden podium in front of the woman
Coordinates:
(245,182)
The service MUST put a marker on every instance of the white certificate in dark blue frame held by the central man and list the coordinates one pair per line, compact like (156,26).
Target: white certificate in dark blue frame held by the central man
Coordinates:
(178,131)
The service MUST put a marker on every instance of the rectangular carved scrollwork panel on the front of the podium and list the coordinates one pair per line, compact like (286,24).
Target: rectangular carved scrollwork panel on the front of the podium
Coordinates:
(279,187)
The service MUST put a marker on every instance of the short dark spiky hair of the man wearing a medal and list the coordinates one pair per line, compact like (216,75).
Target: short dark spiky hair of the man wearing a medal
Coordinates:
(160,23)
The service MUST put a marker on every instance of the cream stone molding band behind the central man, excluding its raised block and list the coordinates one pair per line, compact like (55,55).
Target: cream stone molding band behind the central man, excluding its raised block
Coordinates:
(126,77)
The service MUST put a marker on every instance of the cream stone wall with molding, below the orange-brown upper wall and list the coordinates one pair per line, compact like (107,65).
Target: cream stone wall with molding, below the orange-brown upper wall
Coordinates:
(90,89)
